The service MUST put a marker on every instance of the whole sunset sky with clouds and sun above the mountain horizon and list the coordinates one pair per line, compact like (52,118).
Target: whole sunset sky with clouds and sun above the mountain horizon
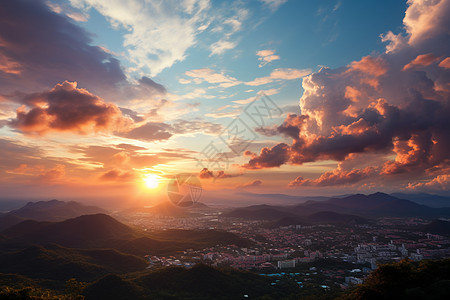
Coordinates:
(110,99)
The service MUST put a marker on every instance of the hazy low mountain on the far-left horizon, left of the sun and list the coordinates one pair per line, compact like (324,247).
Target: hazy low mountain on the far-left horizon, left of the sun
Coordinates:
(54,210)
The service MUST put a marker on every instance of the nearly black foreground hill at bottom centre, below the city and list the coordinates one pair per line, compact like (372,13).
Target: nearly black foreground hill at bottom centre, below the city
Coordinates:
(199,282)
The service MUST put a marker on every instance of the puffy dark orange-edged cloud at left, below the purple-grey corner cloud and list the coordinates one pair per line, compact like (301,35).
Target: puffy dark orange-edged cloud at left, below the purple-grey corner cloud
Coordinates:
(67,108)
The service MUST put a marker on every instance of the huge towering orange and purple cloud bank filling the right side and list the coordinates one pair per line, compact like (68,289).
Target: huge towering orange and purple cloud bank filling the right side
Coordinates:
(376,106)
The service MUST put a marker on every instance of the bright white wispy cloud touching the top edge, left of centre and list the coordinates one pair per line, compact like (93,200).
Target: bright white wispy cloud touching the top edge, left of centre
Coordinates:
(159,32)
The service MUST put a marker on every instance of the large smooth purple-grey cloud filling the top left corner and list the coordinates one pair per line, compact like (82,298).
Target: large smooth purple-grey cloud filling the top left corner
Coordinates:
(48,48)
